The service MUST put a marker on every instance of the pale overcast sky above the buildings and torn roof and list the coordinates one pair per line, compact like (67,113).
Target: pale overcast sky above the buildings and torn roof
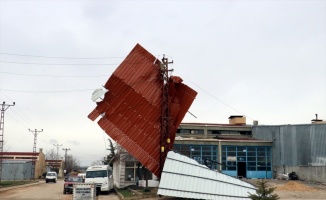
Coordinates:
(262,59)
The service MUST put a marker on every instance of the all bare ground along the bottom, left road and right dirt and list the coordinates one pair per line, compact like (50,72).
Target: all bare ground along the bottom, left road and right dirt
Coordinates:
(287,190)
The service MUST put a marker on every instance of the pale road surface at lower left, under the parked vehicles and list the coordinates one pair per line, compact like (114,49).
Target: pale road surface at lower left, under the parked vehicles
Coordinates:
(45,191)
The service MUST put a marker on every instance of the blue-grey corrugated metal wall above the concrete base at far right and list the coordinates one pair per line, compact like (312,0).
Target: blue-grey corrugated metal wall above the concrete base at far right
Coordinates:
(295,145)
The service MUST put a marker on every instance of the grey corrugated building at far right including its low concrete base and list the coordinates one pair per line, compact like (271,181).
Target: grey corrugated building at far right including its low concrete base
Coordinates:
(297,148)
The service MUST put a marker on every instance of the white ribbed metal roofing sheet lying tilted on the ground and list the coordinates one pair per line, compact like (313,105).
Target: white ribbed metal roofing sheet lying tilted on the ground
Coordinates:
(184,177)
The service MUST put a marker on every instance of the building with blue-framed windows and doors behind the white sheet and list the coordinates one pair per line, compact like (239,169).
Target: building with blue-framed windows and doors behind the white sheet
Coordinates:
(228,148)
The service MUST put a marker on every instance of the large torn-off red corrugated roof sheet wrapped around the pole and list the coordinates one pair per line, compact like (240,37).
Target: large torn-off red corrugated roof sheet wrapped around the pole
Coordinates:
(132,107)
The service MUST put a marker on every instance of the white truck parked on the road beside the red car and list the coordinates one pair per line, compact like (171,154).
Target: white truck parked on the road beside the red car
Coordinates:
(101,176)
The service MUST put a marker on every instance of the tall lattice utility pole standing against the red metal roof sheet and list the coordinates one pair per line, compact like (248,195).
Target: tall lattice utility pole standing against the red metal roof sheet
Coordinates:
(165,119)
